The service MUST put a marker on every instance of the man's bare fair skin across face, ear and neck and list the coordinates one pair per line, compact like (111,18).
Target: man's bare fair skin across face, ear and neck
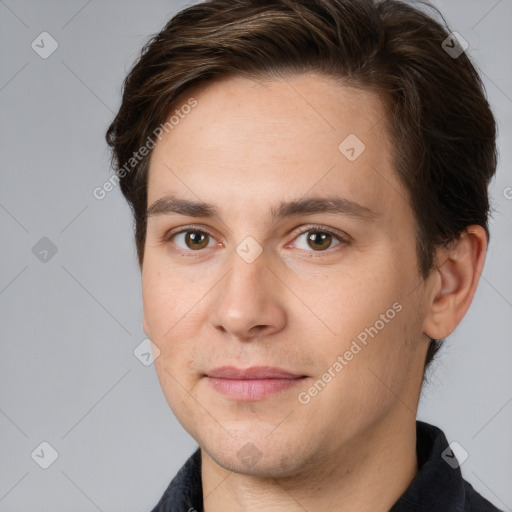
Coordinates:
(245,147)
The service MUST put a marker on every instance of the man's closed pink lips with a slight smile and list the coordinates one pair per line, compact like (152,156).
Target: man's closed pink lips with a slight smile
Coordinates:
(251,384)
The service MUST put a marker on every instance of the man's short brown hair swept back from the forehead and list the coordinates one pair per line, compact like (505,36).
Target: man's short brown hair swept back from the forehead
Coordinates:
(443,130)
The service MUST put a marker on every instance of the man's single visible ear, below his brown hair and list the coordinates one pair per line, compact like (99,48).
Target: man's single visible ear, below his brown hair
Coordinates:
(454,282)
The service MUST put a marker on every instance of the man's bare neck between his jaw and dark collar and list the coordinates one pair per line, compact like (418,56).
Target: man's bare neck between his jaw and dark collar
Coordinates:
(367,476)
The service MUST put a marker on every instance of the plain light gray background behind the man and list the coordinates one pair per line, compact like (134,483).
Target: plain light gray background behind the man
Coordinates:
(70,324)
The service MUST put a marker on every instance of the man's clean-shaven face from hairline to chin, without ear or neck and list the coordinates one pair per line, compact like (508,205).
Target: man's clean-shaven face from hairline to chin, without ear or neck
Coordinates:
(280,279)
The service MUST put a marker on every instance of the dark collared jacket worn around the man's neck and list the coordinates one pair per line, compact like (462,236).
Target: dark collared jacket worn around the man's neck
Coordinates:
(437,487)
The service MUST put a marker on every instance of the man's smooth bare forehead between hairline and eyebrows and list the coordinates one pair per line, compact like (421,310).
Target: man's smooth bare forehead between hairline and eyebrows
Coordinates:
(253,142)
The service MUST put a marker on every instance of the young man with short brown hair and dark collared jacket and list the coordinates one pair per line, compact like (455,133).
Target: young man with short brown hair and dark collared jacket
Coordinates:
(309,187)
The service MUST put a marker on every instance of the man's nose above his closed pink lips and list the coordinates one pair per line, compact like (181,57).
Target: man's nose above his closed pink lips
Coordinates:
(250,300)
